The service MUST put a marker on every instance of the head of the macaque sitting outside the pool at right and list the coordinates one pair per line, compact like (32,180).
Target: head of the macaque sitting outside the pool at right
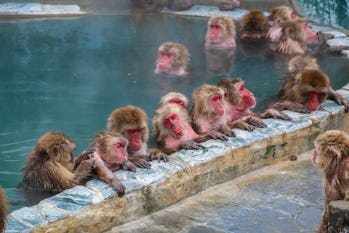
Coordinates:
(331,148)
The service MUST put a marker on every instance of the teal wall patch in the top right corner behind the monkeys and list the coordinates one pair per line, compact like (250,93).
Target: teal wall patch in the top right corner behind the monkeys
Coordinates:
(332,12)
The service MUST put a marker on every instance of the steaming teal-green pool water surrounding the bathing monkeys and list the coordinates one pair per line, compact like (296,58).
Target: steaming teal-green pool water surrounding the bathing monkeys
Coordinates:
(69,74)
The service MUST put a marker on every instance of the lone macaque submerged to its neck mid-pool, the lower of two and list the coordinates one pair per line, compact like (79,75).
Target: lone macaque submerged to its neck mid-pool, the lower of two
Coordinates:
(172,59)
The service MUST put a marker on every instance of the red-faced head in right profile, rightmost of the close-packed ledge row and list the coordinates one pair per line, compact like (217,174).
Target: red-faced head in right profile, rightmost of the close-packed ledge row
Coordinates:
(236,93)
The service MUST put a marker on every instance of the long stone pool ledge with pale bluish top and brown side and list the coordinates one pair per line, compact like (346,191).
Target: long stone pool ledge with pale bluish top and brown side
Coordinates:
(95,207)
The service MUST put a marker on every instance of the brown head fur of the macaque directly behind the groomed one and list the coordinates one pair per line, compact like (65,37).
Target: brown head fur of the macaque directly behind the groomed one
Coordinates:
(129,117)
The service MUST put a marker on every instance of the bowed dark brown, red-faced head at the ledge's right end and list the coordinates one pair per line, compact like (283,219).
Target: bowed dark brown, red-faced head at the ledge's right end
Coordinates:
(312,88)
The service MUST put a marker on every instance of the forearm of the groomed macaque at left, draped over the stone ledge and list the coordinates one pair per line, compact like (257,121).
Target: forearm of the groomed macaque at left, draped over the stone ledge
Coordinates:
(108,176)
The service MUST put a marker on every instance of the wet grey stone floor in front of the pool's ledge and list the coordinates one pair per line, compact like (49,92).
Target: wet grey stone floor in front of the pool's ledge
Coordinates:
(280,198)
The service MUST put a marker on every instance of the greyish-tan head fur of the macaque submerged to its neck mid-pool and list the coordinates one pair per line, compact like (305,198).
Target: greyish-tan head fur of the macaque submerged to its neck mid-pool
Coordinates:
(180,52)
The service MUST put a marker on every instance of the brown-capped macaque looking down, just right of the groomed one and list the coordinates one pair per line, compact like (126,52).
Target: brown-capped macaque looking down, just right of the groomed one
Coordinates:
(131,122)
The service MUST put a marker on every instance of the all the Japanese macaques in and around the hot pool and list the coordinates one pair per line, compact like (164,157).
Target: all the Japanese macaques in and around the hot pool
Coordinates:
(51,166)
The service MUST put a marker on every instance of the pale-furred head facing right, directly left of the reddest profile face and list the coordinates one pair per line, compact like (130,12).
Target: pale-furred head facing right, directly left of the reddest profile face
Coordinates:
(208,101)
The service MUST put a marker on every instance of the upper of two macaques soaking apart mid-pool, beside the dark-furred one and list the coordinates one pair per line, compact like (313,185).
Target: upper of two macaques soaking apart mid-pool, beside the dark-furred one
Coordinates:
(220,32)
